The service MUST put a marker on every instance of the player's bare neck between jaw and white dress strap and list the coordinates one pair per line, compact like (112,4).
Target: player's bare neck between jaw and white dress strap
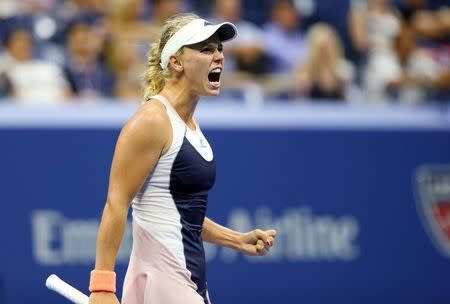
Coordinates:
(182,100)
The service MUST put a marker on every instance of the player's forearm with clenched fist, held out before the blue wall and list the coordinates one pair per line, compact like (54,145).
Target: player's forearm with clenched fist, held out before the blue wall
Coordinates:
(256,242)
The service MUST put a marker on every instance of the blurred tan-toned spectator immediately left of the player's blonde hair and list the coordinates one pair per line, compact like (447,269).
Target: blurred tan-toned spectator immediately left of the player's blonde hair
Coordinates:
(127,67)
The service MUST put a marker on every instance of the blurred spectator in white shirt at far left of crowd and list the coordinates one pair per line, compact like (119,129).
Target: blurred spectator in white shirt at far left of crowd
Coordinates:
(31,80)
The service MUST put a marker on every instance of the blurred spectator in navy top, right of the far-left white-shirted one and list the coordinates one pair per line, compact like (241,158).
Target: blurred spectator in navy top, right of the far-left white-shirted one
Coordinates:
(87,74)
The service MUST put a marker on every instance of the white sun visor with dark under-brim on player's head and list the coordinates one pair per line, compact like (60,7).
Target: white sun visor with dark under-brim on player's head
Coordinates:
(196,31)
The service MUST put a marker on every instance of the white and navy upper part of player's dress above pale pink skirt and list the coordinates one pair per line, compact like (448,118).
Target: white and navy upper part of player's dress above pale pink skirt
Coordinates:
(171,204)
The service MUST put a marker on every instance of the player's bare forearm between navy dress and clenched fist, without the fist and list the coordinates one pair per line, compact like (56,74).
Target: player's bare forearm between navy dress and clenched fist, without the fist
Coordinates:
(218,234)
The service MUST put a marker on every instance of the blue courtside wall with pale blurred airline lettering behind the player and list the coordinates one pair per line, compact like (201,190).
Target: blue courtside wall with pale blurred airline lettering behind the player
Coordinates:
(349,224)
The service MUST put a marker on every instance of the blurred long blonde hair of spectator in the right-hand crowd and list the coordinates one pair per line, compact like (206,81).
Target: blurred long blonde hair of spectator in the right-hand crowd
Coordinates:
(315,34)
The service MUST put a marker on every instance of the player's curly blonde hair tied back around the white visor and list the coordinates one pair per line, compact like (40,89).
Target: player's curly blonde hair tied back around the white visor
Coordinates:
(155,76)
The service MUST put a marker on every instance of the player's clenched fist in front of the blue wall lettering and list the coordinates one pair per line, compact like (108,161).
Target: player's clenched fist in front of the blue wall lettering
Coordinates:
(256,242)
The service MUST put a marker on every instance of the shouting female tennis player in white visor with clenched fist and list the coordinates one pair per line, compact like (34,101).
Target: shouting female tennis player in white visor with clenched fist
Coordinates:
(163,166)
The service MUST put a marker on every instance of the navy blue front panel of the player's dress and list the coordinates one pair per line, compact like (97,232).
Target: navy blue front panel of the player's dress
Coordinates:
(191,178)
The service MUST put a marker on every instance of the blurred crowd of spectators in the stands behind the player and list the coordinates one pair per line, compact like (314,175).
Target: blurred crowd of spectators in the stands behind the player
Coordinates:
(366,51)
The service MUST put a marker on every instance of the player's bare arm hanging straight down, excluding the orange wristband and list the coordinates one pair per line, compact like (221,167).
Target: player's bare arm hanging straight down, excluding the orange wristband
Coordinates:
(140,144)
